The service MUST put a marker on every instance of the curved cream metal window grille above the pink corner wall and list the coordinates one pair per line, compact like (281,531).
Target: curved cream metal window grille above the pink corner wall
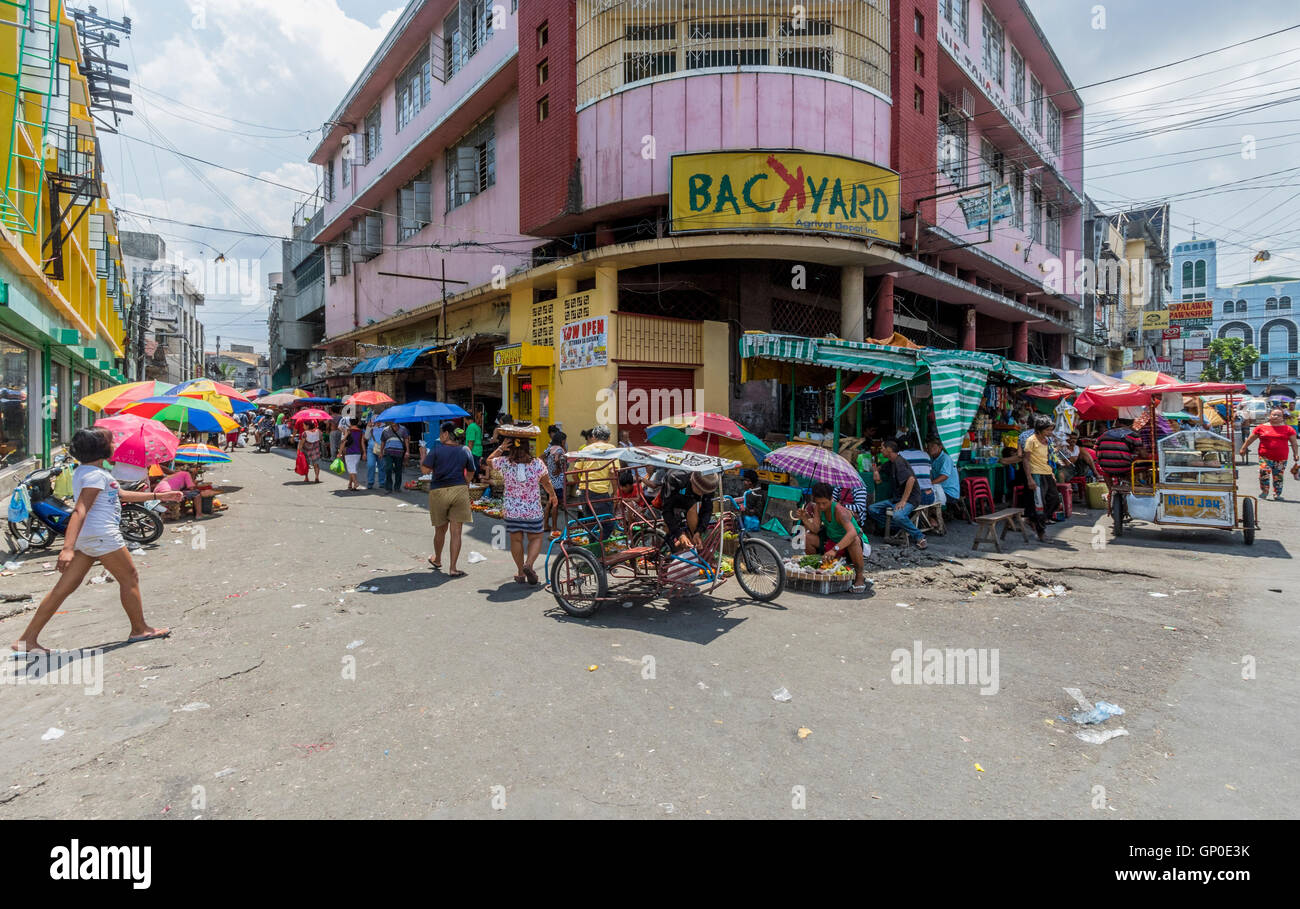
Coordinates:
(625,42)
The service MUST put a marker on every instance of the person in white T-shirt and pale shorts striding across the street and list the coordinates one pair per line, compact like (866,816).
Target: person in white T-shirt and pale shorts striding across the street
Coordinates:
(94,536)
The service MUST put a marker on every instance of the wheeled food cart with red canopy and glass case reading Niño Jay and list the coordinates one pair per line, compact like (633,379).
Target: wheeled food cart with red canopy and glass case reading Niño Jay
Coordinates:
(1191,481)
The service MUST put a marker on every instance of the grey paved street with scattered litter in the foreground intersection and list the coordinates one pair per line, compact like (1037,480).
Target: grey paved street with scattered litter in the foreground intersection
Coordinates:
(463,686)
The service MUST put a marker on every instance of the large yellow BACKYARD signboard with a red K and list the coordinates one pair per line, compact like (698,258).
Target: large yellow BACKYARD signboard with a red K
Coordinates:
(790,192)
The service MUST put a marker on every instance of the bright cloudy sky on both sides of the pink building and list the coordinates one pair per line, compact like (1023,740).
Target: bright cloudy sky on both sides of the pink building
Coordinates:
(246,84)
